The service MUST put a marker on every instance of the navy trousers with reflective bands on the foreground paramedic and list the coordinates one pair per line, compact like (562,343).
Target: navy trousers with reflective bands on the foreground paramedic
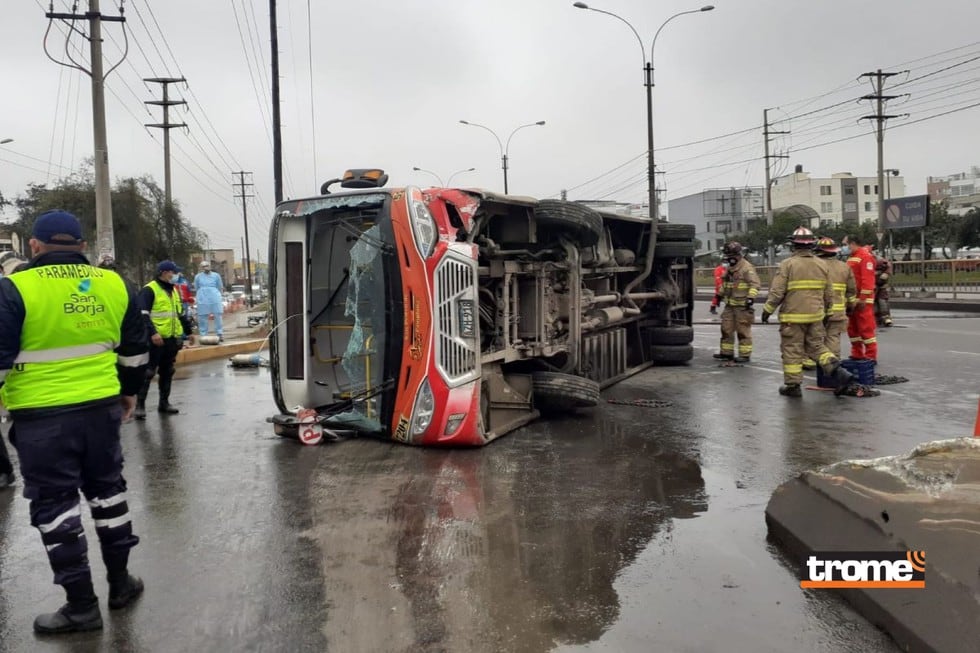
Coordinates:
(59,456)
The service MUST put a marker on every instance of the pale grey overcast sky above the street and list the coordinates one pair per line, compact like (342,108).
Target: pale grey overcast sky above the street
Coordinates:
(392,78)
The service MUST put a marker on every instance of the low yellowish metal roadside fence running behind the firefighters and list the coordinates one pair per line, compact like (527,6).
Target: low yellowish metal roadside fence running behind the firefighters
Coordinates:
(949,276)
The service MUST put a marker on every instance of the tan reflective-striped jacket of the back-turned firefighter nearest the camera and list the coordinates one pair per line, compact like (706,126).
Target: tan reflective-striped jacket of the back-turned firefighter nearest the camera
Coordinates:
(800,290)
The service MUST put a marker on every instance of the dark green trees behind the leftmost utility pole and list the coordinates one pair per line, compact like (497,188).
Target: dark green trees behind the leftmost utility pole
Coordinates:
(144,232)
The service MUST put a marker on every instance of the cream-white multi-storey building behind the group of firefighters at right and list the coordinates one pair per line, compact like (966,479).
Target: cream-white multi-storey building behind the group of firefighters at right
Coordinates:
(840,198)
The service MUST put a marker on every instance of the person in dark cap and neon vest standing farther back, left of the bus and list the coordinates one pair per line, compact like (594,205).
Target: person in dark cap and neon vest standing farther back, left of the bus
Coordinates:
(163,311)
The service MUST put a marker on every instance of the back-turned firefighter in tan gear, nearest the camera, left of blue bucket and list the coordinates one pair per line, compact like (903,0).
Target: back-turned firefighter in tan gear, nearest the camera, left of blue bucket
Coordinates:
(803,294)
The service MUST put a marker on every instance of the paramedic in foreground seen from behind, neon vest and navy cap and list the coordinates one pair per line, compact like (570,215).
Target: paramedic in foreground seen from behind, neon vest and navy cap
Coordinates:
(72,356)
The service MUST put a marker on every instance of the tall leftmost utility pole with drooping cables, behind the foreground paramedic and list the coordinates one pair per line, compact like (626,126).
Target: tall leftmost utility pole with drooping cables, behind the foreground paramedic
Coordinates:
(105,241)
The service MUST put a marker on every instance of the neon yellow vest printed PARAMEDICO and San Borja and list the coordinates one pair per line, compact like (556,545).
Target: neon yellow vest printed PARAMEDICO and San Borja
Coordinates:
(73,316)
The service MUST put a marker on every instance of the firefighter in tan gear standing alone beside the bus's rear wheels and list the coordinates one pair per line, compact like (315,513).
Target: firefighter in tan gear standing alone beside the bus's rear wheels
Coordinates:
(739,288)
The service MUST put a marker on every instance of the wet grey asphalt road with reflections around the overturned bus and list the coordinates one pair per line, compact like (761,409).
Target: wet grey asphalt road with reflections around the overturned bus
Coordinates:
(622,529)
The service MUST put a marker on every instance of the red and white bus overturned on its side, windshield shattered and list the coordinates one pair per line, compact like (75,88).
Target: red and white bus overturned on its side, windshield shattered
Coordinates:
(447,316)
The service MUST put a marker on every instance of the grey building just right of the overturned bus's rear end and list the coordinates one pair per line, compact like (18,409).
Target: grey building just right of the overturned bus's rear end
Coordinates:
(718,212)
